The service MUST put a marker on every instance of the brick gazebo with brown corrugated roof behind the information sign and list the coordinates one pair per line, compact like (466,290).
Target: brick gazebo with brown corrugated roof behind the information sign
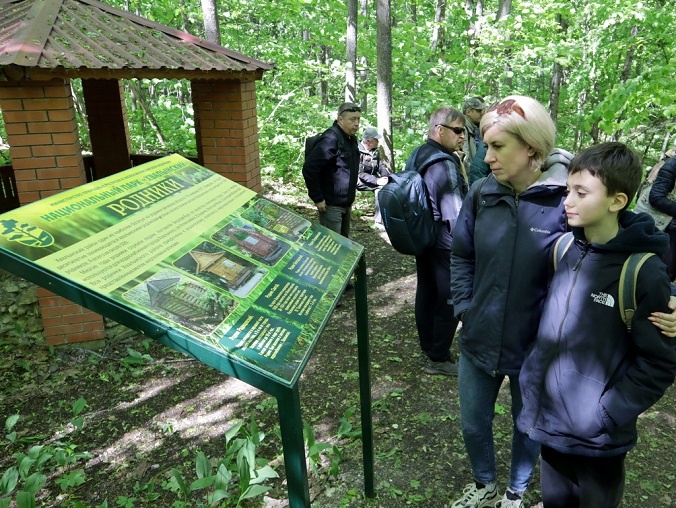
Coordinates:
(44,44)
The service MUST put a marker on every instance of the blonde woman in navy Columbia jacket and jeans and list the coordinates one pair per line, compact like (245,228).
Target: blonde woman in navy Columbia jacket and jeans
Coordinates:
(500,269)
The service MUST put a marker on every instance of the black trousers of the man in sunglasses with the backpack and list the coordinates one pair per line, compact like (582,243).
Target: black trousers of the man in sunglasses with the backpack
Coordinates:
(433,308)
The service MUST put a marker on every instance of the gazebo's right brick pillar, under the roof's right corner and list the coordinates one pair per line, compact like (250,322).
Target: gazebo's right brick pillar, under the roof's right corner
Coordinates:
(226,129)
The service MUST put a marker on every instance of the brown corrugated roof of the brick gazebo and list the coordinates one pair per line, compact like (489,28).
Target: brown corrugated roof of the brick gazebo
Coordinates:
(44,39)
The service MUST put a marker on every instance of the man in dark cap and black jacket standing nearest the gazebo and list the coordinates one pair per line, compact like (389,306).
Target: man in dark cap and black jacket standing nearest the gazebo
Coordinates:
(330,170)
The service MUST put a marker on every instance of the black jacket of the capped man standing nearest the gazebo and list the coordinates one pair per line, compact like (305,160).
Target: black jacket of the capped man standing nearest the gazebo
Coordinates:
(330,171)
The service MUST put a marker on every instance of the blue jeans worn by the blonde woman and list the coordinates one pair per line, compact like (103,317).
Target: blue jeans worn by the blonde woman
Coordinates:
(478,393)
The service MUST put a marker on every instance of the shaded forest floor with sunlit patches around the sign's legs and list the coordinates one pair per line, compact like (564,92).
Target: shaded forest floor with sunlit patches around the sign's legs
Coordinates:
(145,417)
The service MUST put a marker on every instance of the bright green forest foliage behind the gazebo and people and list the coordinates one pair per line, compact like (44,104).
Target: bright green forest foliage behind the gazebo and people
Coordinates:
(604,69)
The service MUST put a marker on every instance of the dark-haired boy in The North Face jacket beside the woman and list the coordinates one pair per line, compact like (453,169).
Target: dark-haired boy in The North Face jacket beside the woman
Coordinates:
(589,377)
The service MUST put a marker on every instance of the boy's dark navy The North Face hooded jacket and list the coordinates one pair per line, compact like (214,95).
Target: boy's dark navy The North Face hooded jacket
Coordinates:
(587,378)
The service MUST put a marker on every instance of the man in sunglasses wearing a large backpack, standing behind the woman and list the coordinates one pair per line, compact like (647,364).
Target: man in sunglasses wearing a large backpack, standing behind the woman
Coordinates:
(446,187)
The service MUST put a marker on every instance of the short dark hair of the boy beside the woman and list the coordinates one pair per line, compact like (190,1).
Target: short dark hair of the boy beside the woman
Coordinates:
(614,164)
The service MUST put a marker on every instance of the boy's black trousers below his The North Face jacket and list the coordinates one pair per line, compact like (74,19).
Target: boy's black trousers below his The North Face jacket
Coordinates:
(574,481)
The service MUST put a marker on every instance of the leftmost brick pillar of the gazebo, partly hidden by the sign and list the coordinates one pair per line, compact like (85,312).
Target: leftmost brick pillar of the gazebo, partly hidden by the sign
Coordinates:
(46,156)
